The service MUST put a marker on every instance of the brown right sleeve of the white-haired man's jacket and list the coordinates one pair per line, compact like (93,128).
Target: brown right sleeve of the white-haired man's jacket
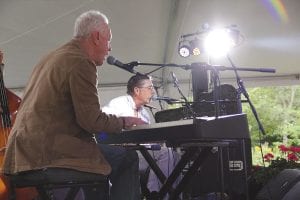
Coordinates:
(83,89)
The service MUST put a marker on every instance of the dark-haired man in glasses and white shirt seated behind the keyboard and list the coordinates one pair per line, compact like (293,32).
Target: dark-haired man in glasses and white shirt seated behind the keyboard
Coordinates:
(139,93)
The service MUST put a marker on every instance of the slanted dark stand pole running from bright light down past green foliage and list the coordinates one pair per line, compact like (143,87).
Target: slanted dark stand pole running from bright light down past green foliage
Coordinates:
(242,90)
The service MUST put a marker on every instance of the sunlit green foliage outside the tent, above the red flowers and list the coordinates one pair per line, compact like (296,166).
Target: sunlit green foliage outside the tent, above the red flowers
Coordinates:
(278,109)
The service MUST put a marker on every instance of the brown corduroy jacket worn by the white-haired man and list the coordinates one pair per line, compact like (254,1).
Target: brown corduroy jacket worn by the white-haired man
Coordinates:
(58,115)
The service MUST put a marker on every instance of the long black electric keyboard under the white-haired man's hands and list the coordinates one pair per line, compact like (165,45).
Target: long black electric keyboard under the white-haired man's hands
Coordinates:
(225,127)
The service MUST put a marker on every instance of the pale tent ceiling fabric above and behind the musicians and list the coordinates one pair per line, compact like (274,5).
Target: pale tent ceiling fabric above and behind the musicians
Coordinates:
(149,31)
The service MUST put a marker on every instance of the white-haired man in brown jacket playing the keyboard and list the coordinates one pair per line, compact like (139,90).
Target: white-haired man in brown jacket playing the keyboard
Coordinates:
(60,113)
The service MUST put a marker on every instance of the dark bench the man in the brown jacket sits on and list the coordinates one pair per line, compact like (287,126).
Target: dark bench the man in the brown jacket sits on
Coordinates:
(45,180)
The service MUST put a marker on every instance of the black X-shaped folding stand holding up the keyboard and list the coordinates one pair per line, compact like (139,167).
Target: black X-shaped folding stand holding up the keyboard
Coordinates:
(196,152)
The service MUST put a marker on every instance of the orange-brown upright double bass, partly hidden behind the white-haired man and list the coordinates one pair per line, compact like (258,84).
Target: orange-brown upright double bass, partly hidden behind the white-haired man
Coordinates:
(9,104)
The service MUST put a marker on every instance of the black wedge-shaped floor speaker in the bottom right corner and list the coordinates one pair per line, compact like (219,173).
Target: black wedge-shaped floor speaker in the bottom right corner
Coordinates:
(280,185)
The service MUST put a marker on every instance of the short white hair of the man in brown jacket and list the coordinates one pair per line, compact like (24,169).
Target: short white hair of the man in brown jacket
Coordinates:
(88,22)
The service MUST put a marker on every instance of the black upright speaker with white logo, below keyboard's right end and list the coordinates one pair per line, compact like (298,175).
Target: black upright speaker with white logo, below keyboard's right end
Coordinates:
(227,169)
